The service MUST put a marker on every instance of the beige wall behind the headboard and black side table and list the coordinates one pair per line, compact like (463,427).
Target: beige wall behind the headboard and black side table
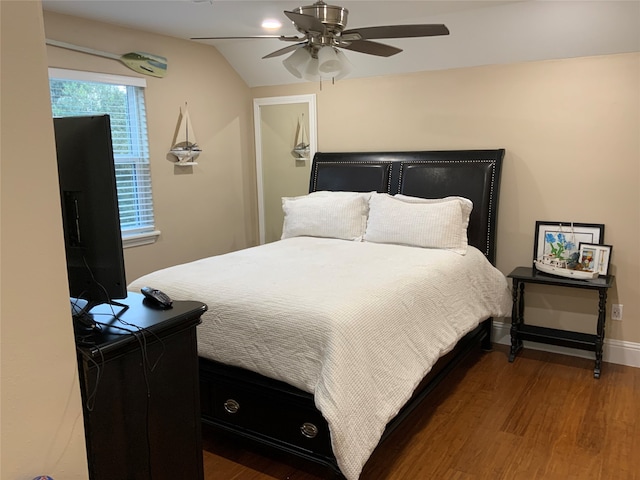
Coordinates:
(571,130)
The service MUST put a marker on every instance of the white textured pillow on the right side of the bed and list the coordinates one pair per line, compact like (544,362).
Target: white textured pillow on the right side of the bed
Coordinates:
(429,223)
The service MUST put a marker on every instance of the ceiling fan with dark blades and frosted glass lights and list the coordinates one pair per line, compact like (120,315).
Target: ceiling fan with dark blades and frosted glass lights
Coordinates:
(317,52)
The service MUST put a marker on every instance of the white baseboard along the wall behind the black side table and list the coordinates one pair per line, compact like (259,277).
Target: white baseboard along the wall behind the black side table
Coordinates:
(614,351)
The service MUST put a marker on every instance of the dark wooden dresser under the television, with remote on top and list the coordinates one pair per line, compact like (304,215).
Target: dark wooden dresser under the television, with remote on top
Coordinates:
(140,393)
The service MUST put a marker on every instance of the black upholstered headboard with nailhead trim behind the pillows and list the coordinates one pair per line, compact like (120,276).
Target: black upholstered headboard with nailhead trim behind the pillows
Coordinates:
(473,174)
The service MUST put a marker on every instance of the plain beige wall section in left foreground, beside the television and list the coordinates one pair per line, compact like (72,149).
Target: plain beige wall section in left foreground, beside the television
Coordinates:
(42,429)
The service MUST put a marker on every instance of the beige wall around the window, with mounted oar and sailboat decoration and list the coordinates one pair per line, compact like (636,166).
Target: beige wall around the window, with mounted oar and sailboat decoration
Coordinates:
(203,210)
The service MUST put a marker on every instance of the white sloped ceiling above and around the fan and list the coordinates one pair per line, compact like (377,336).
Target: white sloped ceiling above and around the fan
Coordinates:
(482,32)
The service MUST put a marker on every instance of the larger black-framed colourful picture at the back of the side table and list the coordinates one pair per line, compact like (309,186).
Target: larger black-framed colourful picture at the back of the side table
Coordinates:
(563,239)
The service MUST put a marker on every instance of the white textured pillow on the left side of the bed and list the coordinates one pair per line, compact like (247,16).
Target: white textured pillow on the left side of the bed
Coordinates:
(341,215)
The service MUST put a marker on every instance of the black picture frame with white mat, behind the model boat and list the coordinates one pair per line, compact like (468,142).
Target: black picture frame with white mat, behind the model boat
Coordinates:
(575,232)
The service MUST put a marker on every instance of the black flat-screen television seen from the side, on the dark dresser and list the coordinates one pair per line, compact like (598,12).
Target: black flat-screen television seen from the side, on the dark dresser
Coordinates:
(90,216)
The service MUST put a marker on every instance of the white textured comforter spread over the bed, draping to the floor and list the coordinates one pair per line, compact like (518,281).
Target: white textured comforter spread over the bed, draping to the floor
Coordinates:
(357,324)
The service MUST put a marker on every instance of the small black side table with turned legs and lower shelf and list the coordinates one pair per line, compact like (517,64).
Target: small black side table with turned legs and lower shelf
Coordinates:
(584,341)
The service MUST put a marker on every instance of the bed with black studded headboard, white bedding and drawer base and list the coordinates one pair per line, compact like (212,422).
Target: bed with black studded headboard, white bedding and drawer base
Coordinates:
(321,344)
